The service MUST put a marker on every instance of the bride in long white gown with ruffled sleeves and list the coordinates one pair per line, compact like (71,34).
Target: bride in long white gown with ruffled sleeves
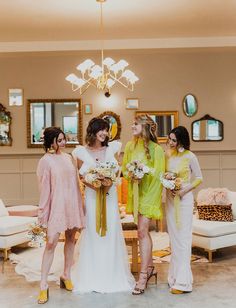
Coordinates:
(102,264)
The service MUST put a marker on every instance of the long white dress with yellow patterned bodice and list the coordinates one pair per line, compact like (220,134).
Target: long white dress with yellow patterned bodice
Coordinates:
(186,166)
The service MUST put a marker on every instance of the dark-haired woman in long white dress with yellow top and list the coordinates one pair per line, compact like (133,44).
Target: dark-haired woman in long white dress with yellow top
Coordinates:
(181,162)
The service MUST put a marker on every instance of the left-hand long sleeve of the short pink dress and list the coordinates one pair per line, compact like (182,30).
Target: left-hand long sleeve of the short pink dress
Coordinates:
(44,180)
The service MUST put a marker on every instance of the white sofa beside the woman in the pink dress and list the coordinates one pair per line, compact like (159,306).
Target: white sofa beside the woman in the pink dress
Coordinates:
(13,229)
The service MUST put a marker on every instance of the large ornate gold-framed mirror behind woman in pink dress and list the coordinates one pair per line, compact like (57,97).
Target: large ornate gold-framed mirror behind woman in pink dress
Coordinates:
(64,113)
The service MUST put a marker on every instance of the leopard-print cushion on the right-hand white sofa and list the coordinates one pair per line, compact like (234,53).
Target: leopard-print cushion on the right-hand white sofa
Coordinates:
(215,212)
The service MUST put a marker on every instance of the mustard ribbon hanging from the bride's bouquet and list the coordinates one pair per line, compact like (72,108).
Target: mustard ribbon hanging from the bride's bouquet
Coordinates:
(101,215)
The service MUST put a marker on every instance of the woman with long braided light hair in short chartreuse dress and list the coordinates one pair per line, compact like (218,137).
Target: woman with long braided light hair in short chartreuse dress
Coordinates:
(144,148)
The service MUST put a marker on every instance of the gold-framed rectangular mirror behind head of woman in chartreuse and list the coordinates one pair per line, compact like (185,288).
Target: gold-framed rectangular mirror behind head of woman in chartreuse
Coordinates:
(166,121)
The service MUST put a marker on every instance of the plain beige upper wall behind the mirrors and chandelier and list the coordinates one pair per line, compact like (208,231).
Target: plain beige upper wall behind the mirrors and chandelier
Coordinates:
(165,77)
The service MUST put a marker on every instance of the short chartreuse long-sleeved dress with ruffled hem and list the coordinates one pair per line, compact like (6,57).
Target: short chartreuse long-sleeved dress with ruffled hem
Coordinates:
(150,187)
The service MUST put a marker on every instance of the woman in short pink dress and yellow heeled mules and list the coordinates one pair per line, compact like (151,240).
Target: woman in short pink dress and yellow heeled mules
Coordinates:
(60,206)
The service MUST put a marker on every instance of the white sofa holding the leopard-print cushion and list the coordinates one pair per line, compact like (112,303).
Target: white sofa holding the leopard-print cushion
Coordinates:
(212,235)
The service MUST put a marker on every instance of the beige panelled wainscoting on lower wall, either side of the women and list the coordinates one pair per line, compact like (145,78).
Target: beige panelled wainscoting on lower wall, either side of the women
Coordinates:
(18,182)
